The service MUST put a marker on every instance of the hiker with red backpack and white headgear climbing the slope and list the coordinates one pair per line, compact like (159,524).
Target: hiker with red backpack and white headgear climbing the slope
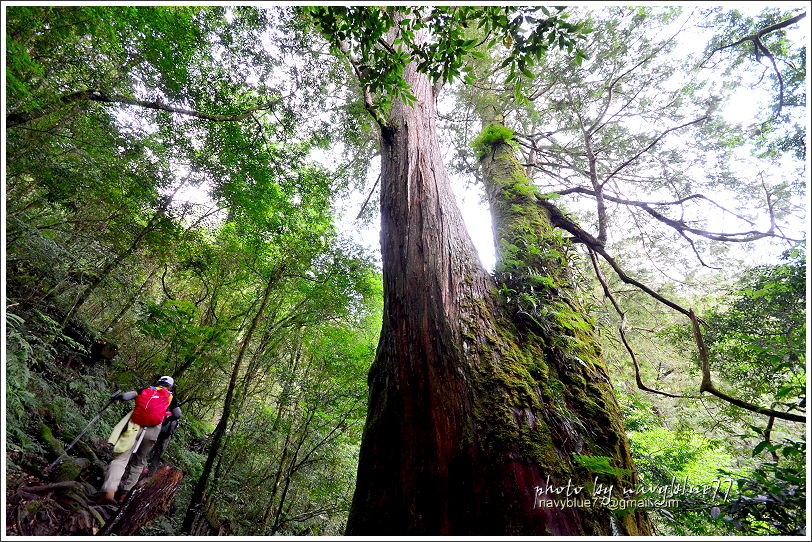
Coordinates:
(135,435)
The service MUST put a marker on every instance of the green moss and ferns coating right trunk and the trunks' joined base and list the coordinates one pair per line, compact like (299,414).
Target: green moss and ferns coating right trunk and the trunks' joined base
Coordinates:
(541,389)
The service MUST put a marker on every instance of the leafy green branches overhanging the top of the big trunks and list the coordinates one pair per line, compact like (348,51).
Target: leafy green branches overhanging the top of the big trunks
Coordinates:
(527,33)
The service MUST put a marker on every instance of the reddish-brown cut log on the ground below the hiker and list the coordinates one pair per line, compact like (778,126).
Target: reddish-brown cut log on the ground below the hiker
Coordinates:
(150,498)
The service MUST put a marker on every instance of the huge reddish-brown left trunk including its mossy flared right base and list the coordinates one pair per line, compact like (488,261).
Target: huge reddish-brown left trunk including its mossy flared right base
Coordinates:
(470,409)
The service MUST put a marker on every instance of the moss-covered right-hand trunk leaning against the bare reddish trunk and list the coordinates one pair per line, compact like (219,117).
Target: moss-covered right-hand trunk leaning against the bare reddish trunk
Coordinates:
(577,401)
